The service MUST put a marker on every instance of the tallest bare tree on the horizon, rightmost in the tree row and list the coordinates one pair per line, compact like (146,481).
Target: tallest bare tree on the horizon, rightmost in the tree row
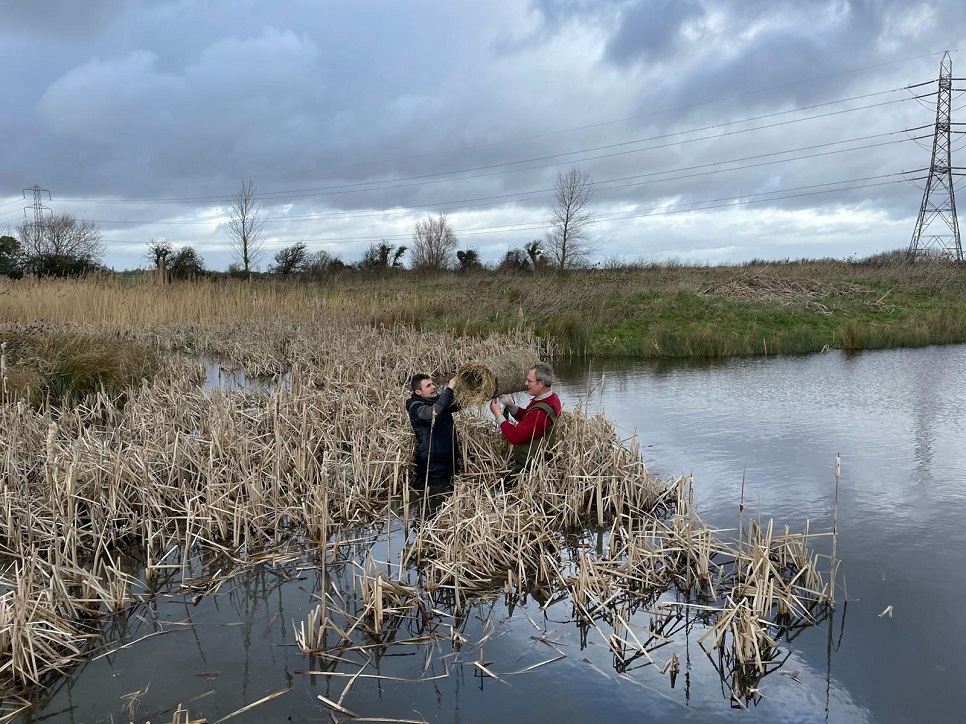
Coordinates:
(568,240)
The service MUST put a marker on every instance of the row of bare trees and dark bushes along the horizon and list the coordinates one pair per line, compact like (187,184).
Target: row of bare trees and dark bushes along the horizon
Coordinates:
(64,246)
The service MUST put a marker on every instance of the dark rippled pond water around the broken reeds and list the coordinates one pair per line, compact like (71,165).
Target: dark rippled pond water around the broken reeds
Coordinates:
(765,430)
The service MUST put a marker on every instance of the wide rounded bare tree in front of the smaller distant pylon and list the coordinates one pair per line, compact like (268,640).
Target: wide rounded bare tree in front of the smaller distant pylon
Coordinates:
(60,246)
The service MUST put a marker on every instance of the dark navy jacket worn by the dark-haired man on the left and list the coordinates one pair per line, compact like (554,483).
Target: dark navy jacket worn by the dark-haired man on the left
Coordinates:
(437,445)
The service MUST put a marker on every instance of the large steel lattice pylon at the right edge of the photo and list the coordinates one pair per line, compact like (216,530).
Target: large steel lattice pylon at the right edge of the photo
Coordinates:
(937,228)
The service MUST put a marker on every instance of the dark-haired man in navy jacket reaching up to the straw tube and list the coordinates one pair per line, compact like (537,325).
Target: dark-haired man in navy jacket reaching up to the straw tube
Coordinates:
(437,452)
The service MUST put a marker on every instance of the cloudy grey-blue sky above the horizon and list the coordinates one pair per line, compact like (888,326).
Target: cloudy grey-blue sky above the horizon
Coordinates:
(715,131)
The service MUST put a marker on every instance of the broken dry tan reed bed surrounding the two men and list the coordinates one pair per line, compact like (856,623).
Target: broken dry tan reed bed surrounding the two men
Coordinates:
(309,473)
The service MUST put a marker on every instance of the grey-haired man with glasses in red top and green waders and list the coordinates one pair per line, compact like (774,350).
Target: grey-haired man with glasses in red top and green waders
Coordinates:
(525,427)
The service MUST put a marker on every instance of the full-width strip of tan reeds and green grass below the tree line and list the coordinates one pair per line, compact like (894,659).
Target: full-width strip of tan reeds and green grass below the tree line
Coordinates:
(656,311)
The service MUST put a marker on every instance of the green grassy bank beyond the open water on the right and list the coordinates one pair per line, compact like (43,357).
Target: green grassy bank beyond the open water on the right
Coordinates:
(791,308)
